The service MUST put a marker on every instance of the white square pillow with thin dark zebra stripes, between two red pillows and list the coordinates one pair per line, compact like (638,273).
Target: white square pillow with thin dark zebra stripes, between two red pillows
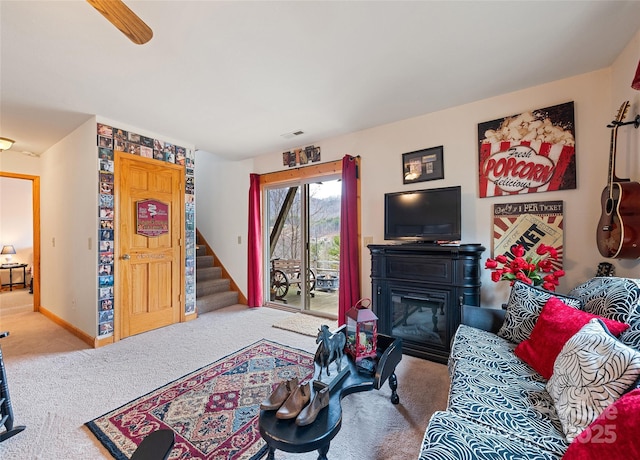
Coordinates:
(591,372)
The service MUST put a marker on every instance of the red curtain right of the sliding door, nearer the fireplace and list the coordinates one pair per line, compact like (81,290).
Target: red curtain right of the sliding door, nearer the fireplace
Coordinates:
(349,290)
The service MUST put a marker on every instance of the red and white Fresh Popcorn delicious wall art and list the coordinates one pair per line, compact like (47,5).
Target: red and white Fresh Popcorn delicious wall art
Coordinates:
(528,153)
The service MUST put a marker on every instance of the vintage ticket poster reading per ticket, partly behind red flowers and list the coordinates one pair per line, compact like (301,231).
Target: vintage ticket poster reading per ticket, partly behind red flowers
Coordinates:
(529,224)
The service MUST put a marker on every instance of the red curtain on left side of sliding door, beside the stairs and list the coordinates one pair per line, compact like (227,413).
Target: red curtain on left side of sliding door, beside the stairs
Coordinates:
(254,245)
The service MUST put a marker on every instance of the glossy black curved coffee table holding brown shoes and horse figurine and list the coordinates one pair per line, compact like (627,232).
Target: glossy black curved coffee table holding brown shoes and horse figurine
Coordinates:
(287,436)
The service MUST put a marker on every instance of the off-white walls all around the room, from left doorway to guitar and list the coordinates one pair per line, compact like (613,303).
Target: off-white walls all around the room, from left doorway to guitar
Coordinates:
(69,185)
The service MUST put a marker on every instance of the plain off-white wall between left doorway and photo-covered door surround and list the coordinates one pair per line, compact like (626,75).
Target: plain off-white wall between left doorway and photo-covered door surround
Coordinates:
(69,203)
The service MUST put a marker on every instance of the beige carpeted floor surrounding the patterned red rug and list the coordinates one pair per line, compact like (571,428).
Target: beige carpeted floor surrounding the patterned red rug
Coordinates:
(57,384)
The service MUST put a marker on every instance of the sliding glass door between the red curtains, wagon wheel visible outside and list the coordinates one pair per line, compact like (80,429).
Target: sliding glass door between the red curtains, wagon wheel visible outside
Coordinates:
(303,245)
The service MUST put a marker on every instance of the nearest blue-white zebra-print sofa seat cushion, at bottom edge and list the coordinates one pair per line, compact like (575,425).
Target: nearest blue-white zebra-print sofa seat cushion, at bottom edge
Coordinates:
(451,437)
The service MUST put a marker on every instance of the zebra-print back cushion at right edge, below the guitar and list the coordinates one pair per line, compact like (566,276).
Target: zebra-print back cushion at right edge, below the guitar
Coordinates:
(614,298)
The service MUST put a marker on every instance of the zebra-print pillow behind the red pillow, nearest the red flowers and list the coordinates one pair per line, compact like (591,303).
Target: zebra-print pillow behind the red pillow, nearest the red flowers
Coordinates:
(524,307)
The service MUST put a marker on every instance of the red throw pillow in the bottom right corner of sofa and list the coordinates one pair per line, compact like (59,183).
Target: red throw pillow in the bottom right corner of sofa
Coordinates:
(613,435)
